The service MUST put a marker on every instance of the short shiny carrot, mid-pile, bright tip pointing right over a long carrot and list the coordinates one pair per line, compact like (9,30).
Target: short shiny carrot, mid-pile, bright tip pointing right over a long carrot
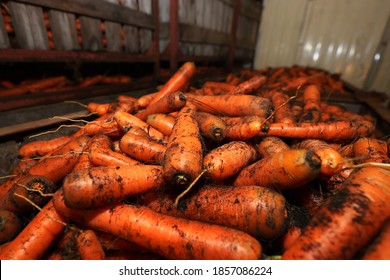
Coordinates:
(245,127)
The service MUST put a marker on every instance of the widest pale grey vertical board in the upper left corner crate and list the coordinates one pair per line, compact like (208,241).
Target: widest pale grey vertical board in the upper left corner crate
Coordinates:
(29,26)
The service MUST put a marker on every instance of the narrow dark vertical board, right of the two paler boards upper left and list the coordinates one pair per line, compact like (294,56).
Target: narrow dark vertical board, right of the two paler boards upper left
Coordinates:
(91,33)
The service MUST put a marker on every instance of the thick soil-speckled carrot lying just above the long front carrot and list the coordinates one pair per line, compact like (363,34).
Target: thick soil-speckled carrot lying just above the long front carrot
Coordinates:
(259,211)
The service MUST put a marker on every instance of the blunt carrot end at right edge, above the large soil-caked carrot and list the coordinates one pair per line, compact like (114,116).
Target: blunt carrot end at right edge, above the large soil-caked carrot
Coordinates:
(370,150)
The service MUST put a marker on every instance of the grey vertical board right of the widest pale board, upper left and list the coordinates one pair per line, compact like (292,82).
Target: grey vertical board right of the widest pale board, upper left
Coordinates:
(63,26)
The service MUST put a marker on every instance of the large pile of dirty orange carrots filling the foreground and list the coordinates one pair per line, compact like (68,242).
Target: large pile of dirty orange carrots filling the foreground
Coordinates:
(232,169)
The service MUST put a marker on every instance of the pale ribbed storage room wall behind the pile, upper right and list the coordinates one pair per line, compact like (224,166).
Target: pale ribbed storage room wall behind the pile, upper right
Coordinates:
(349,37)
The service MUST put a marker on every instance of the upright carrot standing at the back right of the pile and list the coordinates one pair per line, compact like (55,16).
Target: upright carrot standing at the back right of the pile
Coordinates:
(311,100)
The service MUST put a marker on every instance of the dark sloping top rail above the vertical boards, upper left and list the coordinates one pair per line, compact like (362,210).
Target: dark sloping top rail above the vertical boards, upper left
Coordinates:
(98,9)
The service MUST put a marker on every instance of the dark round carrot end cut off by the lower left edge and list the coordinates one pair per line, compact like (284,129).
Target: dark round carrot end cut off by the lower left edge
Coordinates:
(10,226)
